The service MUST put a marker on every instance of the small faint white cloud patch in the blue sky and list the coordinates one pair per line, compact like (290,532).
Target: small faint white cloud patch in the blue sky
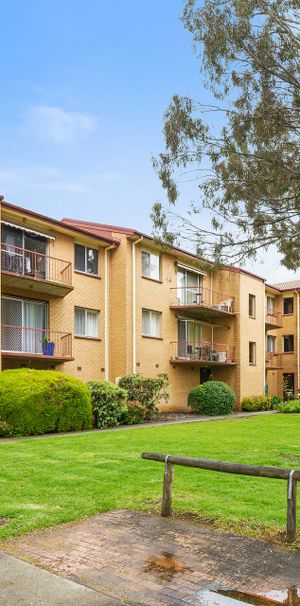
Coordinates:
(56,125)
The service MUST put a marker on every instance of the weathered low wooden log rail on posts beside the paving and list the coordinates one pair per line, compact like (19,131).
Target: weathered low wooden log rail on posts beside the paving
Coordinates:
(278,473)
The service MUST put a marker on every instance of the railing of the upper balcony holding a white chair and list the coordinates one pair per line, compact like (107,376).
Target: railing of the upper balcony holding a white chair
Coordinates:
(200,296)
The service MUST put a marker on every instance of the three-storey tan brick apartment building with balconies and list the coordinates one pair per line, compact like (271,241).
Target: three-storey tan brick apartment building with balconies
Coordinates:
(98,301)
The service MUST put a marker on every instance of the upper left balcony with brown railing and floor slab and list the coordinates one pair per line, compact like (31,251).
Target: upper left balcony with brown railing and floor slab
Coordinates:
(21,268)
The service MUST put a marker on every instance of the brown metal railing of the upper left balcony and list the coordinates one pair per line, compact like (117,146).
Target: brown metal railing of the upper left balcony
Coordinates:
(22,262)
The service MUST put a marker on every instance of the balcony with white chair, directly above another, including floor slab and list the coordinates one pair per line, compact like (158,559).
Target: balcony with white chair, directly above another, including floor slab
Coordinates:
(200,302)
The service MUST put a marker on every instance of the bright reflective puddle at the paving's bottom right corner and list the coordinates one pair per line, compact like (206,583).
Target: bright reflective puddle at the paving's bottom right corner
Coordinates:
(286,597)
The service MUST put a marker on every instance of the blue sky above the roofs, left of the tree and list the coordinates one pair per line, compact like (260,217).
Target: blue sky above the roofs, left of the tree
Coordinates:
(84,85)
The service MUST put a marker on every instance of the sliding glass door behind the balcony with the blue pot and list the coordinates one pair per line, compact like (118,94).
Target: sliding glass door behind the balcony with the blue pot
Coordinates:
(23,325)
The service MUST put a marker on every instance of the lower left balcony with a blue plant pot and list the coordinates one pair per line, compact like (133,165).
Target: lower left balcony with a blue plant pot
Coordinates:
(22,342)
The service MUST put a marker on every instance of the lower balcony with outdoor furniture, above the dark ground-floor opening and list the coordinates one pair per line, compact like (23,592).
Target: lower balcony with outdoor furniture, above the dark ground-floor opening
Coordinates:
(202,354)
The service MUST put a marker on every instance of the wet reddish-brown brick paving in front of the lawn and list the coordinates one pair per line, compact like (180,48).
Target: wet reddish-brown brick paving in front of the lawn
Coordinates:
(140,558)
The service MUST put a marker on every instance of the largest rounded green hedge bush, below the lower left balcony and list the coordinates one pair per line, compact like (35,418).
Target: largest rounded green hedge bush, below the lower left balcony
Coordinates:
(43,401)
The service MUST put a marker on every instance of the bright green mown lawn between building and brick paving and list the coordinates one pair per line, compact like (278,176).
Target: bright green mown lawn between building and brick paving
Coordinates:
(53,480)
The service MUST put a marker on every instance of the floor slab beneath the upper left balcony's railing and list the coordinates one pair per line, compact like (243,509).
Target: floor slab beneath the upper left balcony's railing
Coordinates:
(30,283)
